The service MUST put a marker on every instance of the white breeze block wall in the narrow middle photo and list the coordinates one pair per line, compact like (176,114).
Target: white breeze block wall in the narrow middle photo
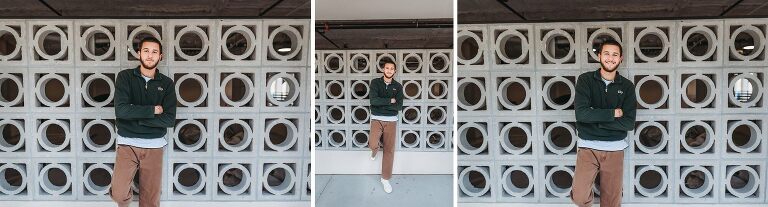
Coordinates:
(342,112)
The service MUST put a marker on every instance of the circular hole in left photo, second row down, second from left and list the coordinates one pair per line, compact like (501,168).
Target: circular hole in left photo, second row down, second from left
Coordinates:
(53,90)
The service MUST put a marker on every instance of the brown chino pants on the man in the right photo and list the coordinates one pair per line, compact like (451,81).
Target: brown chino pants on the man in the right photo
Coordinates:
(609,165)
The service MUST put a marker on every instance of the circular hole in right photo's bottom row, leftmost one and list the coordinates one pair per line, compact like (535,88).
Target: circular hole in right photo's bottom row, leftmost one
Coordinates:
(473,181)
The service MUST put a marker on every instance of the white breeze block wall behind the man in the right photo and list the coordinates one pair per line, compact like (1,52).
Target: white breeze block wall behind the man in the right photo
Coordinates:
(700,135)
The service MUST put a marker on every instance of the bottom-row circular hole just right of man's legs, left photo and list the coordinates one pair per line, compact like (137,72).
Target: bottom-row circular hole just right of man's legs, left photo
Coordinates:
(188,178)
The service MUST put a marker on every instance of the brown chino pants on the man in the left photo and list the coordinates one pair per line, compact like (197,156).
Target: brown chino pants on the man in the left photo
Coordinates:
(149,165)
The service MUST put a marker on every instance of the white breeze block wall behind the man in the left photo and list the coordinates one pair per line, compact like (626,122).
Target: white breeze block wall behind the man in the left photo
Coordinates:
(242,129)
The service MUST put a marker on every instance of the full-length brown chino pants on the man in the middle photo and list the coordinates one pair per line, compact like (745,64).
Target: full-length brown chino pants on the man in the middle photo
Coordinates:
(387,130)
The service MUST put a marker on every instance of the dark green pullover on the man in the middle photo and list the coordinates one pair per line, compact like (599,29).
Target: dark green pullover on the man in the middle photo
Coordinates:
(380,95)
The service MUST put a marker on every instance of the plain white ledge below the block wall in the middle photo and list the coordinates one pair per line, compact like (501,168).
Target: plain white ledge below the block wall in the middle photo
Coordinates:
(406,162)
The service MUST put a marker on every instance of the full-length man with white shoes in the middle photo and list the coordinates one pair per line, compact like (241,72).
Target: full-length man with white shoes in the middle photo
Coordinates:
(386,96)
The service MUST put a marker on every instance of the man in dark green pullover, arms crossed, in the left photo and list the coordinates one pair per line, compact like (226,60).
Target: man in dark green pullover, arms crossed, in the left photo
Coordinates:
(145,106)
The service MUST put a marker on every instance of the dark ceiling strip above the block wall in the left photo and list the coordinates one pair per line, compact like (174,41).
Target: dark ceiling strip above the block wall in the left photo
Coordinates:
(292,9)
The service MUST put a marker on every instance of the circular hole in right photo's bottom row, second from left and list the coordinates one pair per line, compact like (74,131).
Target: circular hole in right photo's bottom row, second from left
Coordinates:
(517,181)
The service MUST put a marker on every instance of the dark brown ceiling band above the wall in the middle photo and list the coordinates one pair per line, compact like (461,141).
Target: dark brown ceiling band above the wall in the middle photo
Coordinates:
(384,34)
